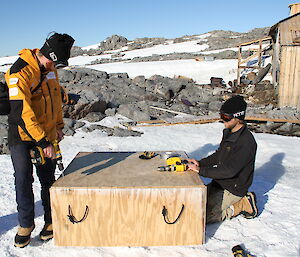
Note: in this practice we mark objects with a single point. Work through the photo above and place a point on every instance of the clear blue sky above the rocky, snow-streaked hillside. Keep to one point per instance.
(26, 24)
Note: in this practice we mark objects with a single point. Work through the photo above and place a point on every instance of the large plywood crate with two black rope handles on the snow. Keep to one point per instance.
(117, 199)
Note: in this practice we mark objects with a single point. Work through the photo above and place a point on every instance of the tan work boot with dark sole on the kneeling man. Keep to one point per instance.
(246, 206)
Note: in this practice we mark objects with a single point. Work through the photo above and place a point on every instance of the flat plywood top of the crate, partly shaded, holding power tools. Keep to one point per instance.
(123, 170)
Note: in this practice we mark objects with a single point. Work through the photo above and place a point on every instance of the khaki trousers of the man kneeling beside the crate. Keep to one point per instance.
(218, 204)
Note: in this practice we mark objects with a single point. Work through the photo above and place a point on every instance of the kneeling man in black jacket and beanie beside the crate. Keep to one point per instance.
(231, 167)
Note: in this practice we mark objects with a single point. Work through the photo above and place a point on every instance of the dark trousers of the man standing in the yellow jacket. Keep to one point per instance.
(23, 184)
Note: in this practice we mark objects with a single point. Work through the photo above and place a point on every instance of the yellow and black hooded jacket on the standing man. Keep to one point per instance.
(36, 110)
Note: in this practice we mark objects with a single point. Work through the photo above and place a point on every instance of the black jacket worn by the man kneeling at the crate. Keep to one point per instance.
(232, 165)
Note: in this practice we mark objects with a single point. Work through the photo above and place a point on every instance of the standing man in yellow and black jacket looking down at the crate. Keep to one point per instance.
(35, 119)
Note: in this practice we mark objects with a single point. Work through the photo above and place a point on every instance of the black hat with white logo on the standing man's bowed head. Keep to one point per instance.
(57, 48)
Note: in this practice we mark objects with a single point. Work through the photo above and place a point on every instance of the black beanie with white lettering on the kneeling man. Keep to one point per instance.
(235, 106)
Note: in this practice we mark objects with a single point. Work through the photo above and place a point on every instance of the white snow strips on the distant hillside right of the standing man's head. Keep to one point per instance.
(198, 71)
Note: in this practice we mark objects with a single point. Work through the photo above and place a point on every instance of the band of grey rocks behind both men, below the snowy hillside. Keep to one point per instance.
(93, 95)
